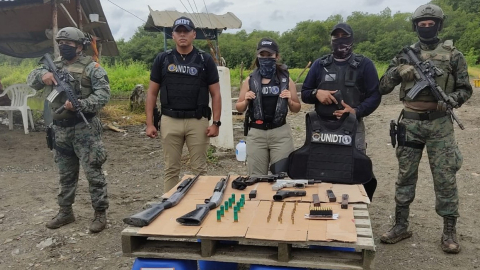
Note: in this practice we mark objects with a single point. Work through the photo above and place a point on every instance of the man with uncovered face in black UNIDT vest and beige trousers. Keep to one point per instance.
(185, 77)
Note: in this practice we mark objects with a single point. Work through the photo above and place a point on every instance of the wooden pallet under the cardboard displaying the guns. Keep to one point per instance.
(248, 251)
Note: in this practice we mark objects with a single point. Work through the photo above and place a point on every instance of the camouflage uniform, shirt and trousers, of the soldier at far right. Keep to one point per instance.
(437, 135)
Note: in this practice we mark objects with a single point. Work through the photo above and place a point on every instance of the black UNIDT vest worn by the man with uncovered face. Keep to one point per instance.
(184, 86)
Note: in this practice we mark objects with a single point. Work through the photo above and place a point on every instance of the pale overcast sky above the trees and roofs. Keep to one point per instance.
(276, 15)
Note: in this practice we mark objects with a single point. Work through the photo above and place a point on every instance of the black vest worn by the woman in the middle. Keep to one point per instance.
(277, 110)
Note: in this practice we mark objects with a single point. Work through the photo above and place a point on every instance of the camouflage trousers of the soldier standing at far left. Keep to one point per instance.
(81, 145)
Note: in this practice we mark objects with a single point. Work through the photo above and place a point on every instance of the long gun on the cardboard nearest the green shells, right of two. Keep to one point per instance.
(195, 217)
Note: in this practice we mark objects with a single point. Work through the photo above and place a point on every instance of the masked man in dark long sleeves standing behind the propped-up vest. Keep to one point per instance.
(343, 82)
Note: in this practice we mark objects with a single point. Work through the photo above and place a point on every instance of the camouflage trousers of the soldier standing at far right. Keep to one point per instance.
(444, 157)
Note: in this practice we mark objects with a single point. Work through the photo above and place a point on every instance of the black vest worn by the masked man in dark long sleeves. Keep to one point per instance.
(342, 78)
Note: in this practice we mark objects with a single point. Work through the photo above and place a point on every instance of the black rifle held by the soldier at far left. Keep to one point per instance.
(62, 79)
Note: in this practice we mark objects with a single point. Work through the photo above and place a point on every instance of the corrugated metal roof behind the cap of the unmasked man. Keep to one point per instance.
(201, 20)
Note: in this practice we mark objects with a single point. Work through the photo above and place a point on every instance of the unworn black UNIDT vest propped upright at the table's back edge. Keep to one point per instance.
(329, 153)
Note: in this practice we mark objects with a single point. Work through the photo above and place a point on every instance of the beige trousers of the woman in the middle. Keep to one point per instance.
(266, 147)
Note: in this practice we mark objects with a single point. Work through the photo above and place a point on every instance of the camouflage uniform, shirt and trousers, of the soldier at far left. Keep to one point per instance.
(78, 144)
